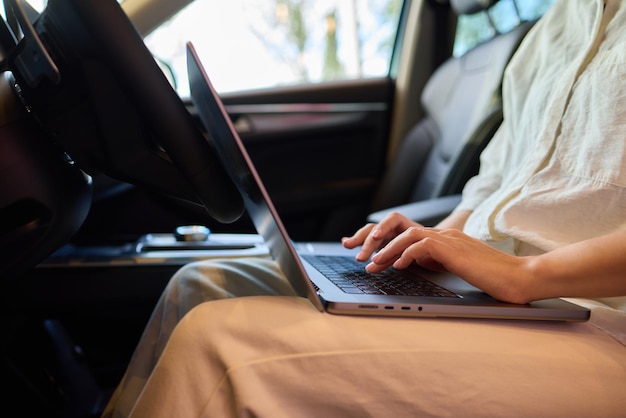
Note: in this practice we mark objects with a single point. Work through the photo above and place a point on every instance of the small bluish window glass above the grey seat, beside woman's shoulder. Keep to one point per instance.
(503, 16)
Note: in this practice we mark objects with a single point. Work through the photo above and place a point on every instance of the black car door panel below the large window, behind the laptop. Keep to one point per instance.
(319, 150)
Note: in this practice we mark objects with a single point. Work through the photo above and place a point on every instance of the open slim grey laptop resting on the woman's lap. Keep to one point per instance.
(412, 292)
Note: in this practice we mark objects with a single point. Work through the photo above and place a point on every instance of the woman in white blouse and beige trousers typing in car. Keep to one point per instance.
(547, 211)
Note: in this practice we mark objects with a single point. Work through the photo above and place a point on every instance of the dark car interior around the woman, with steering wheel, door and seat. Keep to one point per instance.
(105, 166)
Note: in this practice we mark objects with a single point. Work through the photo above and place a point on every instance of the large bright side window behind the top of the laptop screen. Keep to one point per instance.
(250, 44)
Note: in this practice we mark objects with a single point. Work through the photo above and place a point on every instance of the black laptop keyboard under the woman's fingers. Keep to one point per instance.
(351, 277)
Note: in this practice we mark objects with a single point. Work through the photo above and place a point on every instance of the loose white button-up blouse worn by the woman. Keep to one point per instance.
(555, 172)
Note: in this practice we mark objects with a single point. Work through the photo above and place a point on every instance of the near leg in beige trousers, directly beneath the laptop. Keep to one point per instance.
(278, 356)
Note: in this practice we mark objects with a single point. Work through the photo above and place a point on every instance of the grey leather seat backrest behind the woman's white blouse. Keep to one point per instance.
(462, 103)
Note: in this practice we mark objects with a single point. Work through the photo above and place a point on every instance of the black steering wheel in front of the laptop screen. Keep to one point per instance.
(84, 72)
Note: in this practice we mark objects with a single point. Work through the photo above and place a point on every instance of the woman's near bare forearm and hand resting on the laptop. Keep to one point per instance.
(590, 268)
